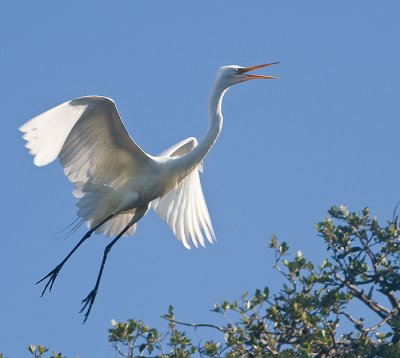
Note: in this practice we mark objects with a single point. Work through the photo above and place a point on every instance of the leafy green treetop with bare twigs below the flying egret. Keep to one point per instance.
(311, 314)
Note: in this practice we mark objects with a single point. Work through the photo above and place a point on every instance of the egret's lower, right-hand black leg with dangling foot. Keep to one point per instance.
(89, 300)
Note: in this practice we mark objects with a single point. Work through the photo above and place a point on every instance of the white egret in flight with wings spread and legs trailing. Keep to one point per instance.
(116, 182)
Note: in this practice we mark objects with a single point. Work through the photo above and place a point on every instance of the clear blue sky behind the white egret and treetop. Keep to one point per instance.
(325, 133)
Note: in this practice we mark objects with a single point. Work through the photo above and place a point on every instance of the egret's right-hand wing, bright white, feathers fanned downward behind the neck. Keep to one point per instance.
(184, 208)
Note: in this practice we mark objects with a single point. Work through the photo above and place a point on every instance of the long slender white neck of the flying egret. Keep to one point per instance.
(189, 161)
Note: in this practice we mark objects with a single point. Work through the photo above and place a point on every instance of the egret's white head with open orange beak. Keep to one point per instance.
(233, 74)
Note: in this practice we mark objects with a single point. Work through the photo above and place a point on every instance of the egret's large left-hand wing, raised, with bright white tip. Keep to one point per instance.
(96, 151)
